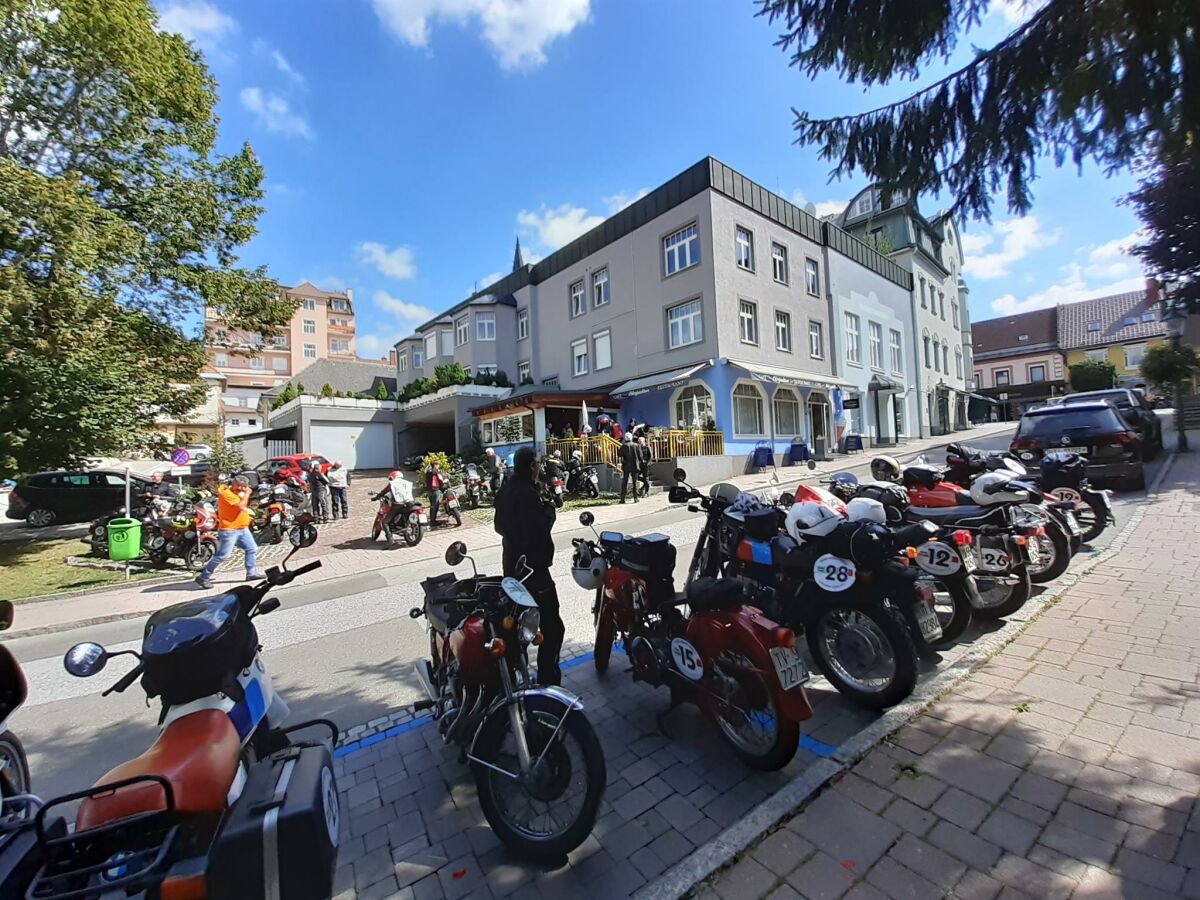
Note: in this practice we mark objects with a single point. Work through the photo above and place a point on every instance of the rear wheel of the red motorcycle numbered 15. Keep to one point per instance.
(743, 707)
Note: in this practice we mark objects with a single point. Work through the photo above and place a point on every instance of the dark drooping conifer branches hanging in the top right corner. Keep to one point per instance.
(1101, 81)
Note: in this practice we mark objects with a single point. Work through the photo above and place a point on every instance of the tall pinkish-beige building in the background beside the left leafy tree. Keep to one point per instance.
(323, 328)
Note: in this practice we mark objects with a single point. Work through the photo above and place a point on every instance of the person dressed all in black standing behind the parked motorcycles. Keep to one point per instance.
(524, 519)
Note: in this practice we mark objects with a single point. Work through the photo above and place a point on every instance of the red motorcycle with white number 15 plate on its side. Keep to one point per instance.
(727, 657)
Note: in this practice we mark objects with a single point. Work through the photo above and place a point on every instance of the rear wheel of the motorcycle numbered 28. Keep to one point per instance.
(865, 650)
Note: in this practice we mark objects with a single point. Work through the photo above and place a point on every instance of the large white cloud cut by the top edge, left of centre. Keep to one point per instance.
(518, 31)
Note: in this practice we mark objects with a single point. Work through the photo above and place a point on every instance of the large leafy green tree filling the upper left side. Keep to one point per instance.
(119, 223)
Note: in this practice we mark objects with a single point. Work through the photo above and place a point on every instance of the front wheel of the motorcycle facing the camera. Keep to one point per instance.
(573, 773)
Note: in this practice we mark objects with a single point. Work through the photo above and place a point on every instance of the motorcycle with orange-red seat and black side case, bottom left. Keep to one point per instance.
(226, 803)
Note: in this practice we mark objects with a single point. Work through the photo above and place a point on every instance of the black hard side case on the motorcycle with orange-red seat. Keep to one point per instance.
(280, 839)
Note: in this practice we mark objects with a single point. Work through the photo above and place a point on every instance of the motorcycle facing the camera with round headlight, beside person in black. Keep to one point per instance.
(530, 747)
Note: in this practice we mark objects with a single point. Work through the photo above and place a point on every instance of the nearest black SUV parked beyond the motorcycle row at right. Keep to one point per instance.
(1095, 431)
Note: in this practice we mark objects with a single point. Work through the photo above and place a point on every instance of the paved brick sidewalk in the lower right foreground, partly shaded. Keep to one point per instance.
(1067, 766)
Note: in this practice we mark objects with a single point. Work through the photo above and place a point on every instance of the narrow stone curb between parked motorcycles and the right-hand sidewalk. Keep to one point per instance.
(790, 800)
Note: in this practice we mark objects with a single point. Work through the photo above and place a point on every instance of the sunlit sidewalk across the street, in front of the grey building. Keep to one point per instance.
(345, 553)
